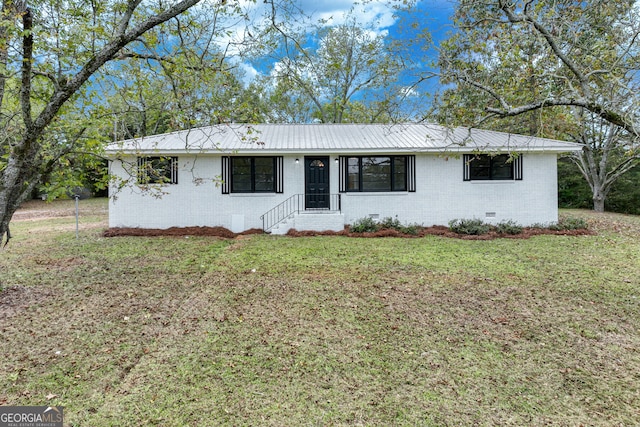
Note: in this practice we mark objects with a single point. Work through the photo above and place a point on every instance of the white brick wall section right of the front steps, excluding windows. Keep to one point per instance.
(442, 195)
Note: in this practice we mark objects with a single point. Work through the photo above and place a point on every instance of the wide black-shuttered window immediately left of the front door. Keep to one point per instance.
(252, 174)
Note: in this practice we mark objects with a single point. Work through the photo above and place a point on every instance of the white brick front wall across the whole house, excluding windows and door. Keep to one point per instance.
(441, 195)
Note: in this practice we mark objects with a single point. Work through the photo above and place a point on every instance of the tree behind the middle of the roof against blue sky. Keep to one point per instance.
(345, 65)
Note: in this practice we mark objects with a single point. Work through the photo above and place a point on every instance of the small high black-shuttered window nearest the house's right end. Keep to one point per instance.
(485, 167)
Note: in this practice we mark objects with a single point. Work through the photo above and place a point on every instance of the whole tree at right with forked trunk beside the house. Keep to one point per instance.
(550, 68)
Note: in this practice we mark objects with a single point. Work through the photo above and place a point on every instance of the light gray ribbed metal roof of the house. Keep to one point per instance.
(336, 138)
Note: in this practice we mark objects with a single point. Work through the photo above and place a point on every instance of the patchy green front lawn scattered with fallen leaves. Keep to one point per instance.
(273, 331)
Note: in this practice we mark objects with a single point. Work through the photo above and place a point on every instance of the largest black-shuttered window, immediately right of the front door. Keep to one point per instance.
(377, 173)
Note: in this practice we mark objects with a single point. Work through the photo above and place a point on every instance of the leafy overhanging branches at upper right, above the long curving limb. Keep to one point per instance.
(527, 56)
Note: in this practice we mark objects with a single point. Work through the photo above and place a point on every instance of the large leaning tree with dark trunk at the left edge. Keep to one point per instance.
(51, 53)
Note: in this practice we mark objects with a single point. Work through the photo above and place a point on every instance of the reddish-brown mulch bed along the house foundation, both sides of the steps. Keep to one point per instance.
(426, 231)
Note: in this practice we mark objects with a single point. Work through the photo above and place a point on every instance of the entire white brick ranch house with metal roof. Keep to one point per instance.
(321, 177)
